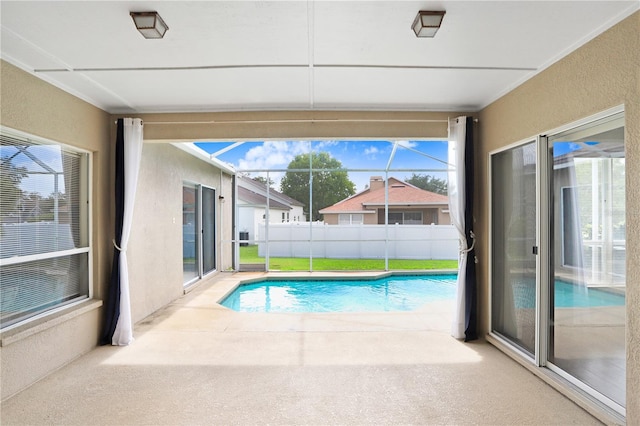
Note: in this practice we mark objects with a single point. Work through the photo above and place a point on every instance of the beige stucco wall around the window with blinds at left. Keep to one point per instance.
(30, 105)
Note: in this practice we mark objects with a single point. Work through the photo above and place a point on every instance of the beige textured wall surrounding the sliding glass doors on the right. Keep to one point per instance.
(602, 74)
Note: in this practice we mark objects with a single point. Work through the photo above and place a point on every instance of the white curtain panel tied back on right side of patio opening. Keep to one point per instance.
(456, 192)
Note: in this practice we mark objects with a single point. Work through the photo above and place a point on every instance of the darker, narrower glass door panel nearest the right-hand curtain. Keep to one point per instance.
(513, 265)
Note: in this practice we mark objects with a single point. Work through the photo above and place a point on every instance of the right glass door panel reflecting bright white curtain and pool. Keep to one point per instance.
(587, 289)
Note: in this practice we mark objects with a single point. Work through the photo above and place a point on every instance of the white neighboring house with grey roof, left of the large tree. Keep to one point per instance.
(252, 203)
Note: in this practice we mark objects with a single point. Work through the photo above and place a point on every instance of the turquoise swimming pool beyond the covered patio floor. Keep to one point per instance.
(392, 293)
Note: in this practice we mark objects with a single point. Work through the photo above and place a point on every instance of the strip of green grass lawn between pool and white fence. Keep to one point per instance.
(249, 254)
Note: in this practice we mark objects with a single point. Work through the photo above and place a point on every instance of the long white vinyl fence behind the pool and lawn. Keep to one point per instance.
(360, 241)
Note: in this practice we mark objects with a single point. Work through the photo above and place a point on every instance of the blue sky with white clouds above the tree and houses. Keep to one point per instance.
(370, 156)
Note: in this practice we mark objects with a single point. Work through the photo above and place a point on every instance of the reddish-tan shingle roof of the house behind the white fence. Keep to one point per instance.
(400, 194)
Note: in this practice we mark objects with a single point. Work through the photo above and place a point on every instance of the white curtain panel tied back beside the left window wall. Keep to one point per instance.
(123, 334)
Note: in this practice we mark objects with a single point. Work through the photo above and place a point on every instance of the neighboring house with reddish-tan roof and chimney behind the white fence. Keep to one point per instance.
(408, 205)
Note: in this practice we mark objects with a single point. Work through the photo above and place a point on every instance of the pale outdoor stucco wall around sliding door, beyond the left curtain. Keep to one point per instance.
(155, 246)
